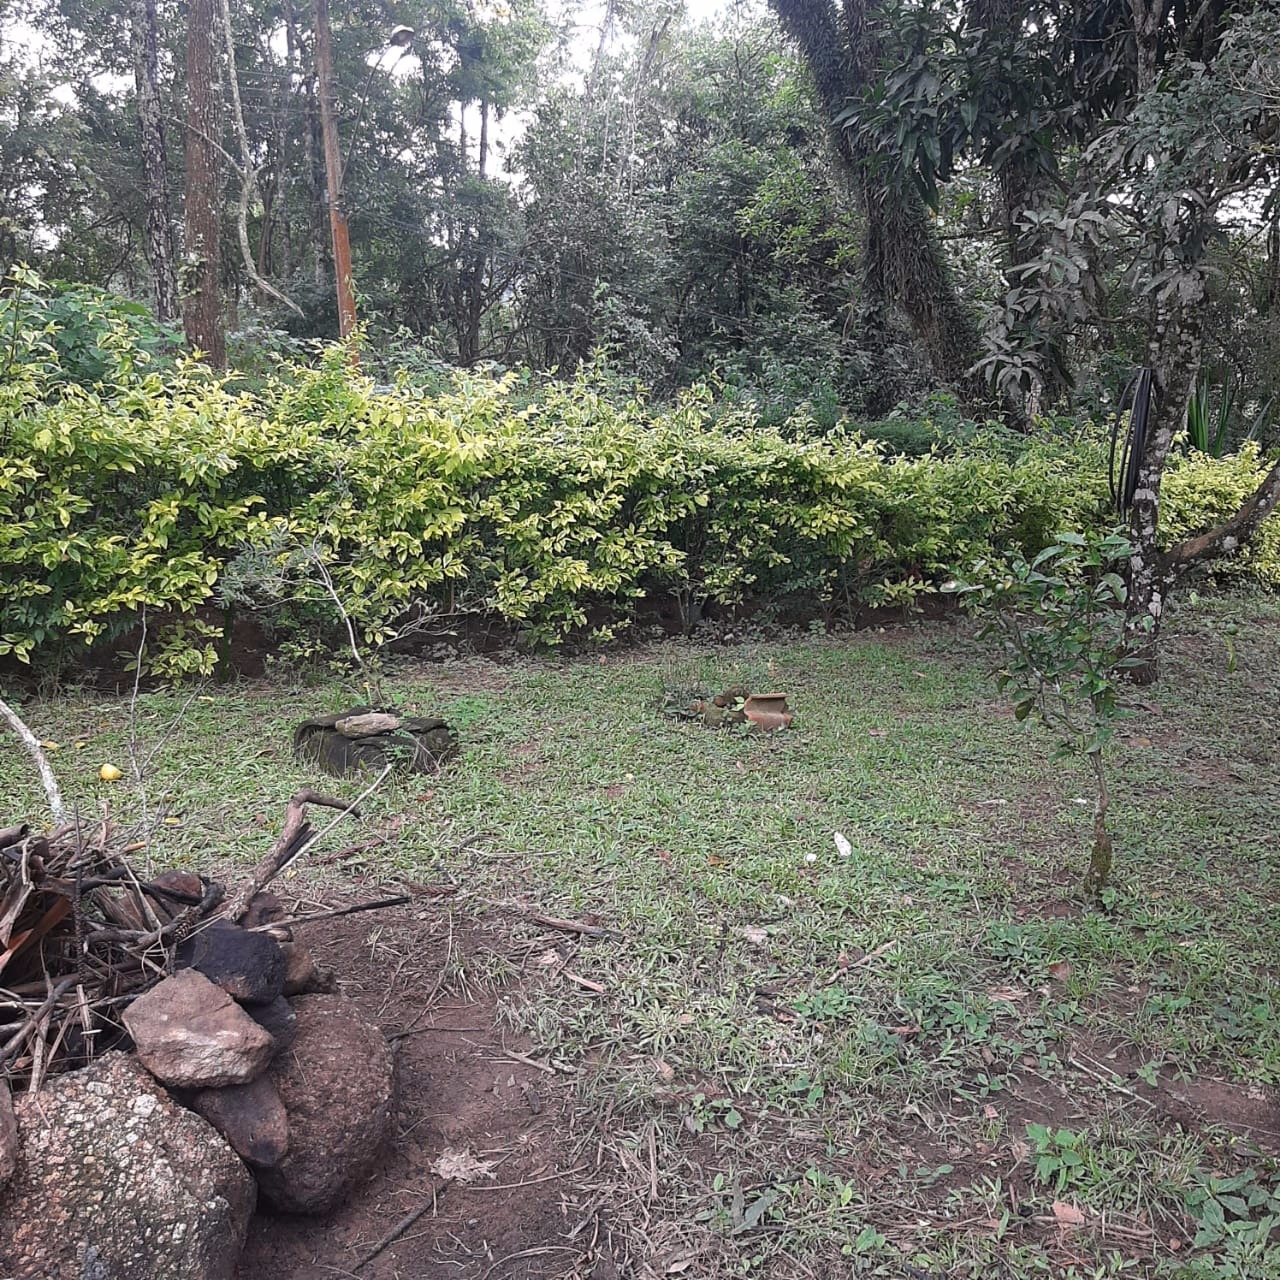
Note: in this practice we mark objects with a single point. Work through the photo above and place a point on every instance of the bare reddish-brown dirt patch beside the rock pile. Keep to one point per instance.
(468, 1091)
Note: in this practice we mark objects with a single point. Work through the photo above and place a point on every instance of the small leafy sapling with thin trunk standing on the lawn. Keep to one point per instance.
(1060, 621)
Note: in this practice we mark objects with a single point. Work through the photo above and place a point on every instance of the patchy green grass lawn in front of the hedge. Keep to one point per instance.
(926, 1059)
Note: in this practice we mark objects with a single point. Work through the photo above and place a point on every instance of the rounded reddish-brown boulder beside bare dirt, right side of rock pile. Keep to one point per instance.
(339, 1089)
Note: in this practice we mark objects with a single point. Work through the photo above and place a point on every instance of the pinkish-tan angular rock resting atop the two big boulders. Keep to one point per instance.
(191, 1035)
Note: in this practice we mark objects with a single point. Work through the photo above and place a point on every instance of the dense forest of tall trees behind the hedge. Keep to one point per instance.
(1005, 199)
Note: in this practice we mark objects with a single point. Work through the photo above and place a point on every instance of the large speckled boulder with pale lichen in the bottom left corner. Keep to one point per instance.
(118, 1182)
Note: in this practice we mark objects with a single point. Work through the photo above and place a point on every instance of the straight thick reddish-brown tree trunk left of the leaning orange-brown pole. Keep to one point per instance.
(203, 317)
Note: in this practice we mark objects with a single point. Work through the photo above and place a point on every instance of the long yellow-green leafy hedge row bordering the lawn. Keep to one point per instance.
(176, 491)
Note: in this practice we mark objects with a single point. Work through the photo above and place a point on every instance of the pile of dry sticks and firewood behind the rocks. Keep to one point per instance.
(83, 935)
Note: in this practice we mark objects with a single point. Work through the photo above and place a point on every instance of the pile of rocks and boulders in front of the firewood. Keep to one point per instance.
(249, 1080)
